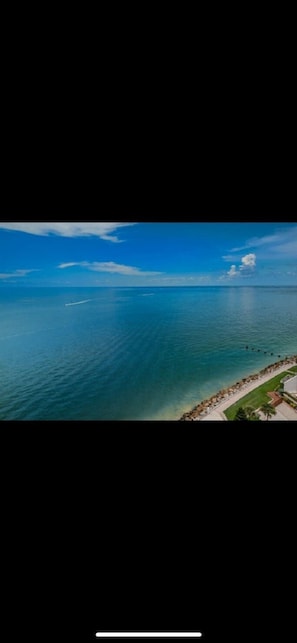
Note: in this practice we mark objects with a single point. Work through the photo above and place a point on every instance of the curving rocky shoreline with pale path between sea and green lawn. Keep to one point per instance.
(217, 403)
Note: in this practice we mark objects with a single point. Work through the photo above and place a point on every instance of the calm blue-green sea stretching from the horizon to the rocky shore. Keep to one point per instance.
(134, 353)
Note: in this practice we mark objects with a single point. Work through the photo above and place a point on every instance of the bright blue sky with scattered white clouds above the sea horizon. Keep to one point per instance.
(147, 254)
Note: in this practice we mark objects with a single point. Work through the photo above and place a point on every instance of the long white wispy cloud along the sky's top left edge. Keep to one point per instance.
(65, 229)
